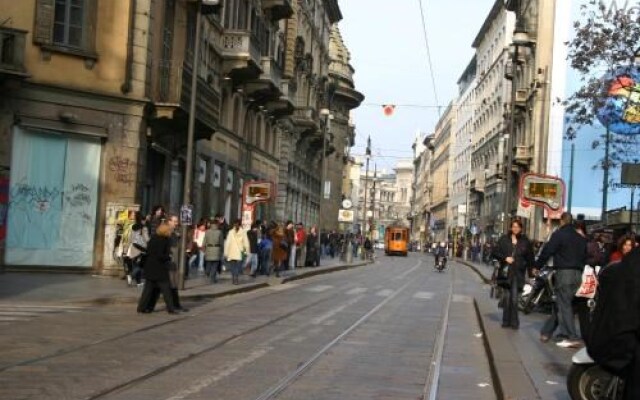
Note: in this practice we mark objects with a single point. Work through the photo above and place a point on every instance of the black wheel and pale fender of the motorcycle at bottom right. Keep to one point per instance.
(588, 381)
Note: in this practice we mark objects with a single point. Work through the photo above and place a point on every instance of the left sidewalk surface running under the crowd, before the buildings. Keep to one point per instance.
(35, 287)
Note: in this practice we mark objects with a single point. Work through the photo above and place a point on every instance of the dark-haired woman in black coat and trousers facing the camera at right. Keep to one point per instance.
(515, 250)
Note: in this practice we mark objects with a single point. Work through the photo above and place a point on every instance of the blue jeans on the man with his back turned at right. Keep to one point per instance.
(567, 283)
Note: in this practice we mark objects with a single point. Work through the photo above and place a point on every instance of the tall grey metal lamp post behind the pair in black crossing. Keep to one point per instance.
(186, 198)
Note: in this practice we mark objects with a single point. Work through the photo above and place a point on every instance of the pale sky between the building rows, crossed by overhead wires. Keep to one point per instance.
(389, 55)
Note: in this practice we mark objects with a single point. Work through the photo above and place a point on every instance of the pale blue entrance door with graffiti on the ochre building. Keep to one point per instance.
(53, 198)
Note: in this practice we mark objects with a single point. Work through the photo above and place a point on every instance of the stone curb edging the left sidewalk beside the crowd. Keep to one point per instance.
(104, 301)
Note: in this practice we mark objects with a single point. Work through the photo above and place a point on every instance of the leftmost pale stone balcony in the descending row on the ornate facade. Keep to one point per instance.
(241, 55)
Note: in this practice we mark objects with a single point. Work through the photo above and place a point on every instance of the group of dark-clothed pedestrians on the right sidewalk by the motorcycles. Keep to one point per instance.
(608, 320)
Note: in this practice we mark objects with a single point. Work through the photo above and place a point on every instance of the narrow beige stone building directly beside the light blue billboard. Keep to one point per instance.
(532, 74)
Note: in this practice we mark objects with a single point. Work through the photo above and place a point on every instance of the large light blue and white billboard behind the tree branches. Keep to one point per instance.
(587, 177)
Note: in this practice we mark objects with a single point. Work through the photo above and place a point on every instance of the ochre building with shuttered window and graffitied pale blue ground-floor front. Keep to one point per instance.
(73, 112)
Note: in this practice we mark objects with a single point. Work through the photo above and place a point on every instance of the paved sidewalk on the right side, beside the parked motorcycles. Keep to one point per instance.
(525, 367)
